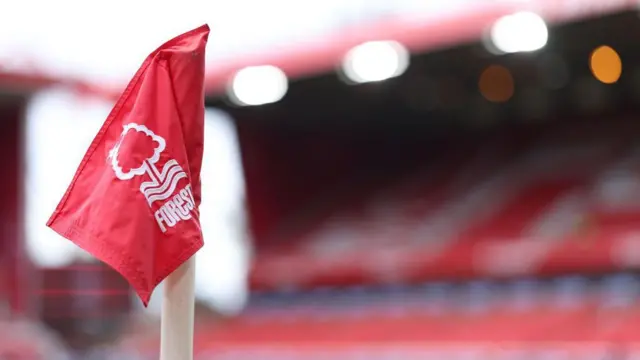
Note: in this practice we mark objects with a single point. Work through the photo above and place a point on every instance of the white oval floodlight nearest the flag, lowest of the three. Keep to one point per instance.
(258, 85)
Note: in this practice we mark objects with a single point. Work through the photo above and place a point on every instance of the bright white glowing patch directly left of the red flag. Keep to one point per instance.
(59, 129)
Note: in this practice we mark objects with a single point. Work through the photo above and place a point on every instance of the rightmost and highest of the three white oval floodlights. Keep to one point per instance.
(519, 32)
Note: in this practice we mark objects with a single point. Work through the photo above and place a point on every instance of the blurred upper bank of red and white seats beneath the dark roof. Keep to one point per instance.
(525, 207)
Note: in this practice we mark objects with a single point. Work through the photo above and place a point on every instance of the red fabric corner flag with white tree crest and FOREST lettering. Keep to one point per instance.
(133, 202)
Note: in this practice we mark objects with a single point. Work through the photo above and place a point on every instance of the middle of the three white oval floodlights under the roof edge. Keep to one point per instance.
(375, 61)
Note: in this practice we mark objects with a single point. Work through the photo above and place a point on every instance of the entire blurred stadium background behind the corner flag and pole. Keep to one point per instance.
(404, 179)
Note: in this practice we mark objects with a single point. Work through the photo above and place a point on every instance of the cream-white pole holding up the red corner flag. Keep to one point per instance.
(178, 302)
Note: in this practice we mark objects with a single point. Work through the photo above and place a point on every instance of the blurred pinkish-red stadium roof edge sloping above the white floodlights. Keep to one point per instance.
(323, 52)
